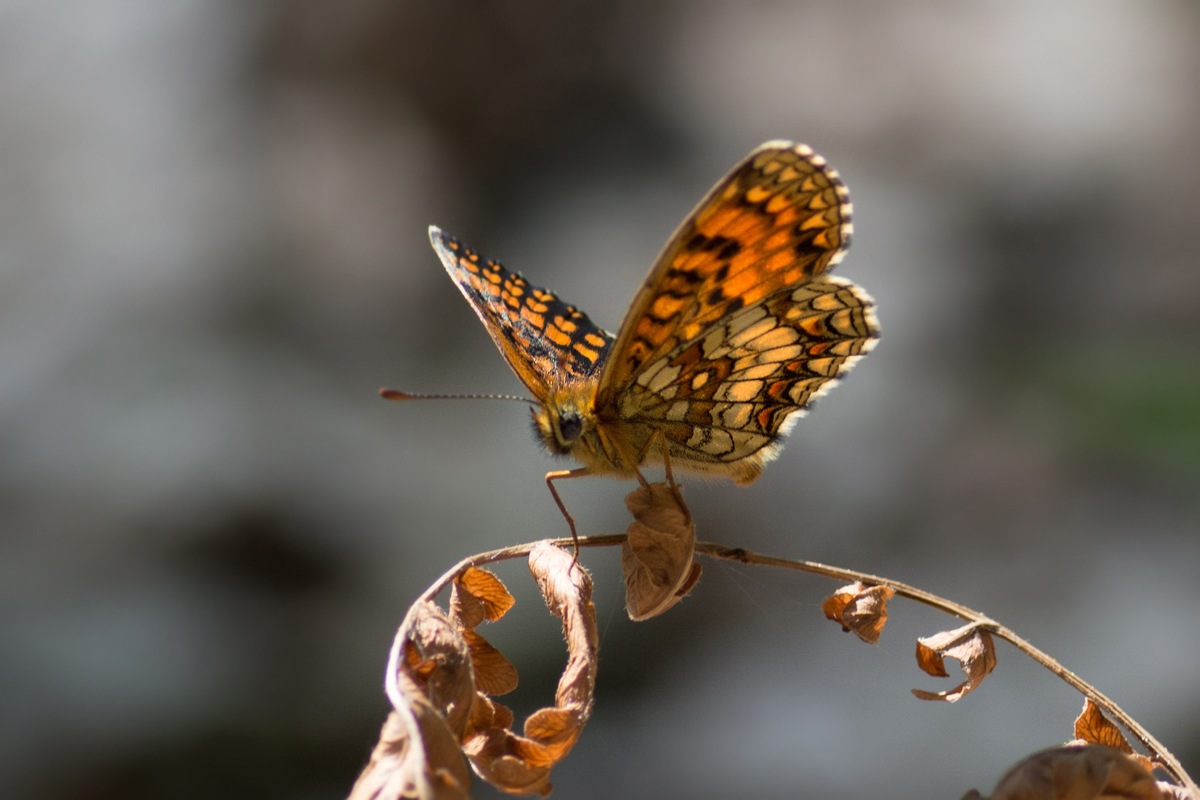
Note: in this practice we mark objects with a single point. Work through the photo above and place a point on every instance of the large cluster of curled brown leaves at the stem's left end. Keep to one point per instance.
(443, 681)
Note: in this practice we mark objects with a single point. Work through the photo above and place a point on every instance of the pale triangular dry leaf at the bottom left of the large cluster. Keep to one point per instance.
(418, 756)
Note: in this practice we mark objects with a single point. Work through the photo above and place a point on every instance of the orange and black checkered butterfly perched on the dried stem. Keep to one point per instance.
(736, 330)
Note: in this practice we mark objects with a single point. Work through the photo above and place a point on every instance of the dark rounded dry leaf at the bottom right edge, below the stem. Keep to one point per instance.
(1077, 773)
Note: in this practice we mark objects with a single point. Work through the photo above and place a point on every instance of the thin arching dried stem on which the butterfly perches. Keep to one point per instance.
(1154, 748)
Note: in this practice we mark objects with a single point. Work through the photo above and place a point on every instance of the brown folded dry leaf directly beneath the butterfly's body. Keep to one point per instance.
(657, 557)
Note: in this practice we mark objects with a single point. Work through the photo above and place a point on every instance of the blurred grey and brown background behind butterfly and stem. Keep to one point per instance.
(213, 252)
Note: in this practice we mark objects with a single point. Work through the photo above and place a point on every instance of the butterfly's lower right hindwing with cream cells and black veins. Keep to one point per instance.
(724, 399)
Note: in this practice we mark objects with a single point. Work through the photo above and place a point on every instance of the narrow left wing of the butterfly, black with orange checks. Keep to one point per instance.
(547, 341)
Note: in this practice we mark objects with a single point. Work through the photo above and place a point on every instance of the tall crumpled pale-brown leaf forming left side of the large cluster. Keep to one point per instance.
(433, 691)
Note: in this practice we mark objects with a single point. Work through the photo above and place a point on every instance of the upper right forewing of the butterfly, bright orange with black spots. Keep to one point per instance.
(779, 219)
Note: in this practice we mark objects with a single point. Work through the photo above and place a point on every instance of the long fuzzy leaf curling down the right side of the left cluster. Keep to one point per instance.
(520, 765)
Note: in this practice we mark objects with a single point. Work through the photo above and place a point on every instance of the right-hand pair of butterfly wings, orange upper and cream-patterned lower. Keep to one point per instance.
(737, 328)
